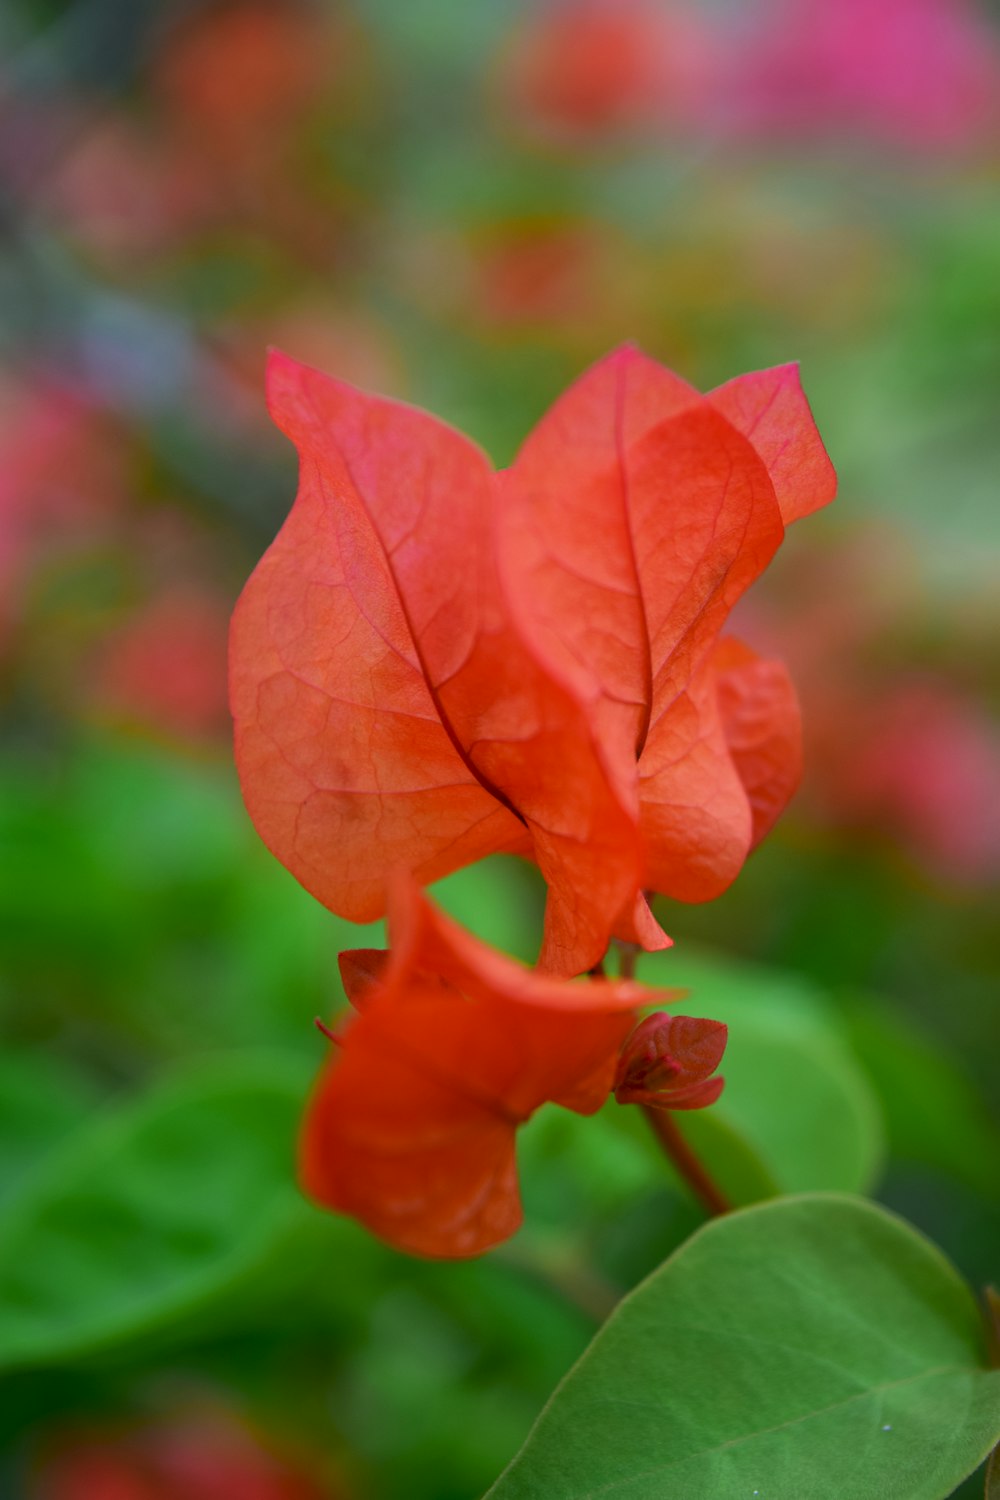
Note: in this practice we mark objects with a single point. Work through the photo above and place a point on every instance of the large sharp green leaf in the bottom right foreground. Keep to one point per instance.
(815, 1346)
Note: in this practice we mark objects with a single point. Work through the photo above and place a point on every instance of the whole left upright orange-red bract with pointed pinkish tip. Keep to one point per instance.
(388, 703)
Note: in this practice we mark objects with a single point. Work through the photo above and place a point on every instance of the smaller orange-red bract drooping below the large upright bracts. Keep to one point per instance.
(412, 1127)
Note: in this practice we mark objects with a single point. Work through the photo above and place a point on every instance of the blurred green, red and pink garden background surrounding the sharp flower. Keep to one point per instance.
(463, 206)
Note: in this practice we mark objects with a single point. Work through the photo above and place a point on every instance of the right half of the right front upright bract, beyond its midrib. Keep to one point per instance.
(723, 529)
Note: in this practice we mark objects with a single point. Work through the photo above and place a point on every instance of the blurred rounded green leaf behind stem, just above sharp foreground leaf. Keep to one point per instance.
(797, 1114)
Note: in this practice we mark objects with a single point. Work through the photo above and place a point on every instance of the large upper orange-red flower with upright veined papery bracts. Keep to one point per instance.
(436, 662)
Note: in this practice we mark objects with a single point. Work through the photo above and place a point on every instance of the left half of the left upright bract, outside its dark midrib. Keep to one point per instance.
(346, 764)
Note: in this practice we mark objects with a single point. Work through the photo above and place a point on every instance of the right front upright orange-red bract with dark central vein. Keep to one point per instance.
(633, 520)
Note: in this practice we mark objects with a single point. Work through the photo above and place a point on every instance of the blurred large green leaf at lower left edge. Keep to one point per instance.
(152, 1213)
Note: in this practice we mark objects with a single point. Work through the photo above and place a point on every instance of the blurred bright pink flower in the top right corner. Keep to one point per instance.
(923, 73)
